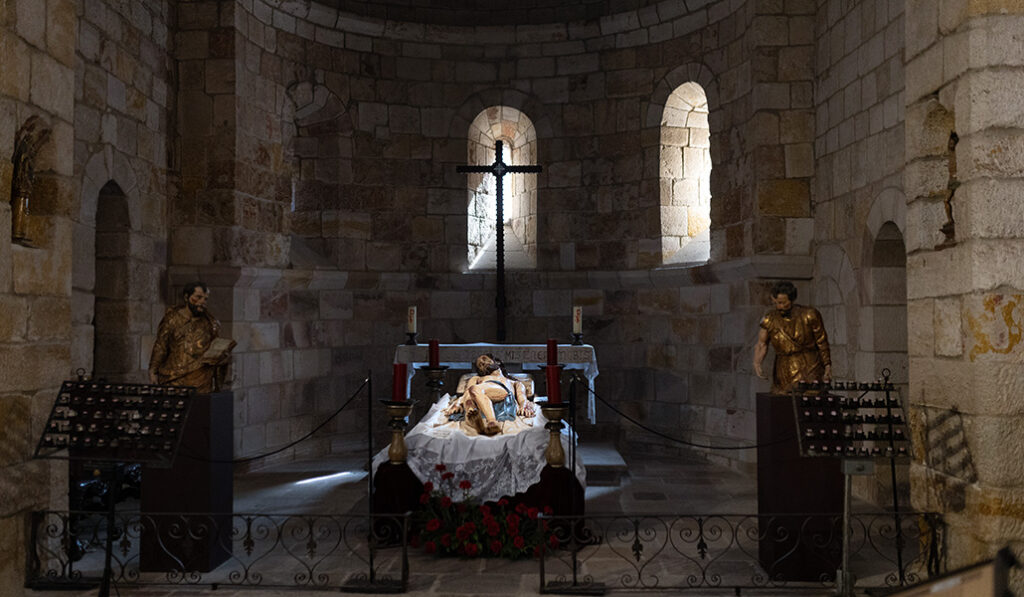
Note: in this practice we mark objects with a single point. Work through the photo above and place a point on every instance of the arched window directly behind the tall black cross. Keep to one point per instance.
(519, 138)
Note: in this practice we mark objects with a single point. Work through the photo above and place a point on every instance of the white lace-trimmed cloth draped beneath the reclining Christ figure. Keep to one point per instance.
(497, 466)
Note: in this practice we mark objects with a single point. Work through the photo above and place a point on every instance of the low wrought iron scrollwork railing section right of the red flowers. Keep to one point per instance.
(737, 551)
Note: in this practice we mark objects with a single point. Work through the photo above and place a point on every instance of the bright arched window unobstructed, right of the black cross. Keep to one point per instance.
(686, 177)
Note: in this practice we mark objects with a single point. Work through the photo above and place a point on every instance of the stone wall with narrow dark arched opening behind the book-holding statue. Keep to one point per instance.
(124, 103)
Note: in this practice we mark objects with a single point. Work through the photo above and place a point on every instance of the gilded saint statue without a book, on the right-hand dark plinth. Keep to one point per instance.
(799, 338)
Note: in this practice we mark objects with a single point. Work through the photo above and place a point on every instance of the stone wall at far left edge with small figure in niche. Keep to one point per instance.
(37, 50)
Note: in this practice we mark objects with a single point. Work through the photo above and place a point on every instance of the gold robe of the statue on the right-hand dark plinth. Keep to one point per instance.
(801, 347)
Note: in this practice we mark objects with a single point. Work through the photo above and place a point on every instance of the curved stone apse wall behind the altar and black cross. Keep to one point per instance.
(379, 222)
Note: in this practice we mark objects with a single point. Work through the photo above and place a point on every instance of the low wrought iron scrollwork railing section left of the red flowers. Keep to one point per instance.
(328, 552)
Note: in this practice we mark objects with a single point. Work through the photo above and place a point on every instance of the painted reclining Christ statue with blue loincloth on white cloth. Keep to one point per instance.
(493, 402)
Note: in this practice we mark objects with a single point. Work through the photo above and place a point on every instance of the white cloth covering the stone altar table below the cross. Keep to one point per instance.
(532, 357)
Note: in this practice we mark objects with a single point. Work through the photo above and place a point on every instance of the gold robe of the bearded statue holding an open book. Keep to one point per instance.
(178, 354)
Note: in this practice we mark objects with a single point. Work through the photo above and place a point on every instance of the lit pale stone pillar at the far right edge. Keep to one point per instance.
(965, 291)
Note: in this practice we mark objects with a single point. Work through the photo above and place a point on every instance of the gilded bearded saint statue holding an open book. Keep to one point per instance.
(188, 352)
